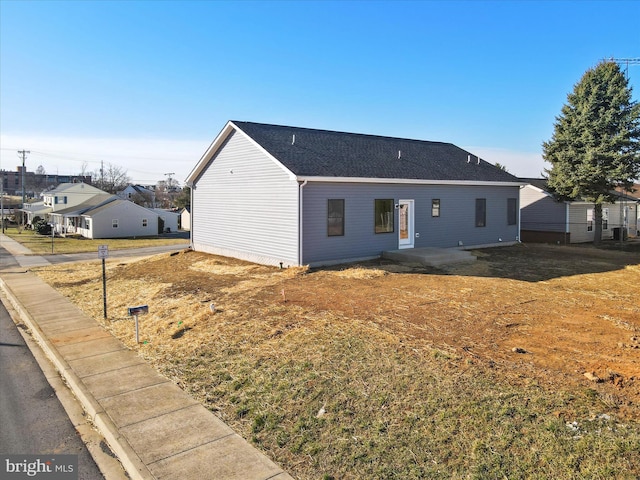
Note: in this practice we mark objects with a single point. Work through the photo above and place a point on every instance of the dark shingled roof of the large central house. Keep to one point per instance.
(323, 153)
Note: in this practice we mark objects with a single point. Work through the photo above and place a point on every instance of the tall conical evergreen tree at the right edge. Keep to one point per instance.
(595, 146)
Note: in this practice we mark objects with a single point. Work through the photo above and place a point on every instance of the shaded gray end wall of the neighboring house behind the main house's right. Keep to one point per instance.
(540, 212)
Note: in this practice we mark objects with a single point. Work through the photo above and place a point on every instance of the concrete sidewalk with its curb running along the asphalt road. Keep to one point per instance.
(156, 430)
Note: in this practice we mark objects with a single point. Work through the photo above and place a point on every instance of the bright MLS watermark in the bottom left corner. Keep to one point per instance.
(49, 467)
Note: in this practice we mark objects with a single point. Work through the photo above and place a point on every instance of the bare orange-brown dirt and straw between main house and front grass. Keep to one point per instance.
(566, 316)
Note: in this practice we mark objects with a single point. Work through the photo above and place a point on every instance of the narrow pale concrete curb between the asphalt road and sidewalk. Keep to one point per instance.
(130, 460)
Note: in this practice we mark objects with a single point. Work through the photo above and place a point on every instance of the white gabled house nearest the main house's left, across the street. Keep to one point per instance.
(118, 219)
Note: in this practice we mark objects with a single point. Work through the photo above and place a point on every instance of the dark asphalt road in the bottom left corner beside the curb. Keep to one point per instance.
(32, 419)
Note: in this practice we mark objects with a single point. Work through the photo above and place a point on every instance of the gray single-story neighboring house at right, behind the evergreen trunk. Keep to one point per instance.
(544, 218)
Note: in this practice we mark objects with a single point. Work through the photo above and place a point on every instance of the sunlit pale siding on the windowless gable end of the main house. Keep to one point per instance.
(246, 205)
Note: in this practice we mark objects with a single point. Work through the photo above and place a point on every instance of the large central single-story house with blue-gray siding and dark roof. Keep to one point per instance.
(290, 196)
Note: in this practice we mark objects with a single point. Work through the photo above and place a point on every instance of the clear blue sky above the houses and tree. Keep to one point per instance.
(147, 85)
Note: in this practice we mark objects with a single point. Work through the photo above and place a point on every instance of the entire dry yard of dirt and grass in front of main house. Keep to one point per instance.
(370, 370)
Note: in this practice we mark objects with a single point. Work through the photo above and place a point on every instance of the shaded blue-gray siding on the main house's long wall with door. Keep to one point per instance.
(455, 225)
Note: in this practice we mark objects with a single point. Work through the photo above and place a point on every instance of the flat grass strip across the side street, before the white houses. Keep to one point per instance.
(42, 245)
